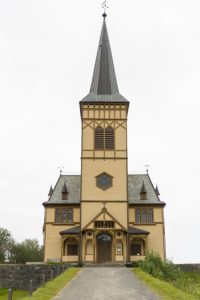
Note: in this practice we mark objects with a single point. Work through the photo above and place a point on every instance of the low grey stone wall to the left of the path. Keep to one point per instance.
(19, 276)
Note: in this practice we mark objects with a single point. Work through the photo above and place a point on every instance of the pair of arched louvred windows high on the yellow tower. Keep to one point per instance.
(104, 138)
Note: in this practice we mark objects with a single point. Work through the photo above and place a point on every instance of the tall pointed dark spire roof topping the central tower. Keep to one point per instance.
(104, 87)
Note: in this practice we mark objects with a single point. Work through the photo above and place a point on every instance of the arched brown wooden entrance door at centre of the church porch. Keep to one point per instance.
(104, 248)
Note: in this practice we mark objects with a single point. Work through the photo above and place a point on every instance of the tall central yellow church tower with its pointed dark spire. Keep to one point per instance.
(104, 178)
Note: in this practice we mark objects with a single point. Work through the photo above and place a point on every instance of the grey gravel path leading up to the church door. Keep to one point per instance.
(106, 284)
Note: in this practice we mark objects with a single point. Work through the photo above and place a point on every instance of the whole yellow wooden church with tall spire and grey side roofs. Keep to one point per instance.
(103, 215)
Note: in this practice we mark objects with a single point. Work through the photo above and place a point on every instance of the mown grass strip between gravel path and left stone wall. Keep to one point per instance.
(52, 288)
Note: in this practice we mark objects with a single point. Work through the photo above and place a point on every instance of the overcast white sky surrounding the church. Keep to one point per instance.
(47, 55)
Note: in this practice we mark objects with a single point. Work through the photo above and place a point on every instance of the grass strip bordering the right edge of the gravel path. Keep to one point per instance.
(166, 290)
